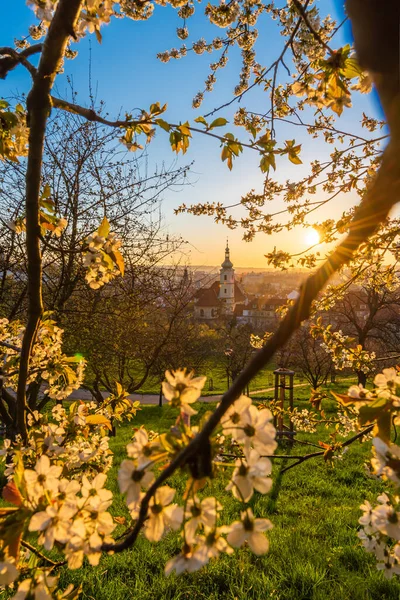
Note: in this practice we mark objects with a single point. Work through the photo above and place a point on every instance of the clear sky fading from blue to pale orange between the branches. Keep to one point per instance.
(127, 75)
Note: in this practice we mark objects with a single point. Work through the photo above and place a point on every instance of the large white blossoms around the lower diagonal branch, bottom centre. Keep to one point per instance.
(250, 429)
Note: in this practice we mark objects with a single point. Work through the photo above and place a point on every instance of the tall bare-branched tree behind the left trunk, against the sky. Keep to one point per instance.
(90, 176)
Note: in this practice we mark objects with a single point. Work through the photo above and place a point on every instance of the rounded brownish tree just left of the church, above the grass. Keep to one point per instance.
(125, 329)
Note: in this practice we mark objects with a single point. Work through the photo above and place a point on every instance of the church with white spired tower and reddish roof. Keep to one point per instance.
(222, 297)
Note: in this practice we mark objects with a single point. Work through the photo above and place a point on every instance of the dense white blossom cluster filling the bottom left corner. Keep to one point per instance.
(57, 482)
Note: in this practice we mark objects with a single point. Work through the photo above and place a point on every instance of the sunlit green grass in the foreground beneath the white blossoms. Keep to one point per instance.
(314, 552)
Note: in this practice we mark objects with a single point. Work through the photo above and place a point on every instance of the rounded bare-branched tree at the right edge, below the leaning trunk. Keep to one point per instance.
(364, 319)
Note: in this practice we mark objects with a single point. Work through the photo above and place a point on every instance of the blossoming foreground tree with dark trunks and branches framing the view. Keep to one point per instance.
(57, 462)
